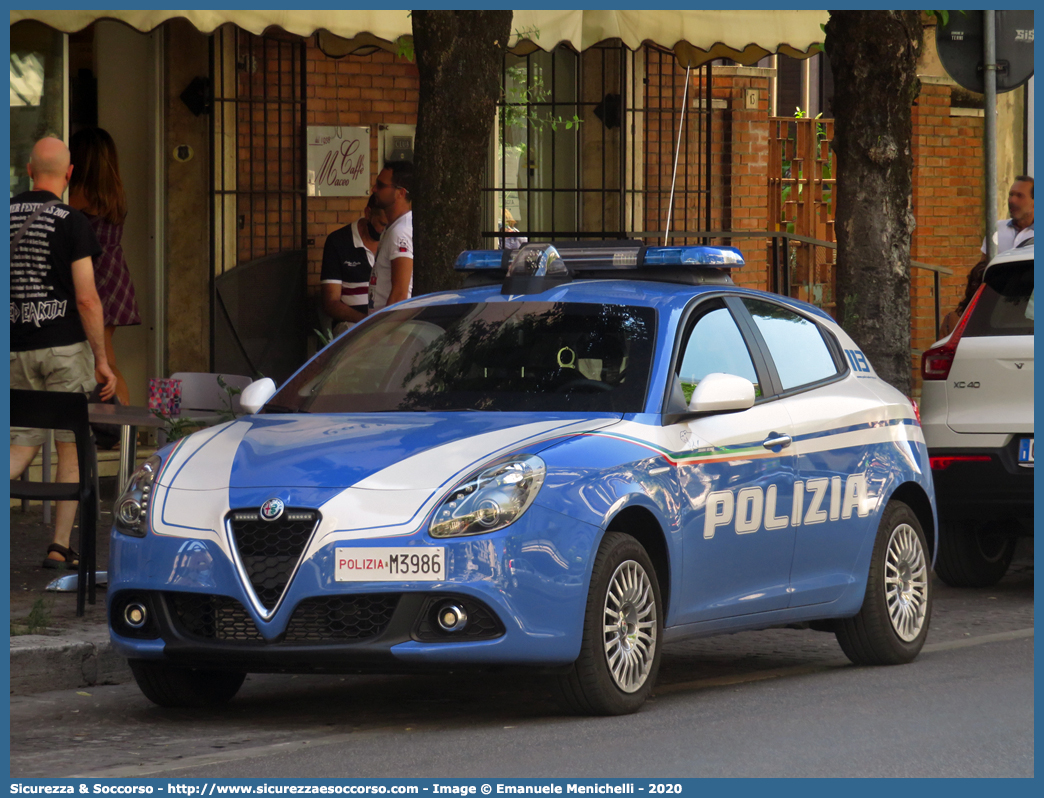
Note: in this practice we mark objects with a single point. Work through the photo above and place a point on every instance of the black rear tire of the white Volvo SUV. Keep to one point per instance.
(974, 555)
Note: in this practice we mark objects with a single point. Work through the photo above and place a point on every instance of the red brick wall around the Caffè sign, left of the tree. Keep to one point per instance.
(355, 91)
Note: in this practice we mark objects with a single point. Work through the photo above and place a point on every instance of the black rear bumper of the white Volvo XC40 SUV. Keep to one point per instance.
(993, 490)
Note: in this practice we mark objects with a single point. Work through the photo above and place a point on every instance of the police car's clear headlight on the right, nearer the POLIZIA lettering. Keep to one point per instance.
(491, 501)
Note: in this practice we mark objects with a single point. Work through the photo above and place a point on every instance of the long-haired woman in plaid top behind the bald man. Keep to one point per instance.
(98, 191)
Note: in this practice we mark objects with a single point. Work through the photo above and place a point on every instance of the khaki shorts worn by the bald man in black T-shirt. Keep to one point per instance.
(67, 369)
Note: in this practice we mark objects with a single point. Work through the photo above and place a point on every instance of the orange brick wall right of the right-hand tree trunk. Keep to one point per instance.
(948, 190)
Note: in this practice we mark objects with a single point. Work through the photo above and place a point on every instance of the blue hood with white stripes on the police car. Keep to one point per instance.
(374, 452)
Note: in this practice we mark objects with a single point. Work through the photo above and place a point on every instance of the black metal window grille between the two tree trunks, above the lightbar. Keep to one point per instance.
(584, 147)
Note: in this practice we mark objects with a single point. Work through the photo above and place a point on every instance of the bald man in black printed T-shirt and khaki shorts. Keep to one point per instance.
(57, 325)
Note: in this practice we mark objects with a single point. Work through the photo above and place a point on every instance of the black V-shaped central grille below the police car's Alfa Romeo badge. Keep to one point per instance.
(271, 551)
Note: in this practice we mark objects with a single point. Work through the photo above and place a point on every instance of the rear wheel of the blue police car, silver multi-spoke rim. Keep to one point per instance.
(893, 624)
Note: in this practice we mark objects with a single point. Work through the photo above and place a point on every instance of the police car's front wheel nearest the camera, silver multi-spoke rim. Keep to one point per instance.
(623, 633)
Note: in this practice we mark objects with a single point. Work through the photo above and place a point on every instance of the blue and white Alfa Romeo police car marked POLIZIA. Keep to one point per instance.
(591, 452)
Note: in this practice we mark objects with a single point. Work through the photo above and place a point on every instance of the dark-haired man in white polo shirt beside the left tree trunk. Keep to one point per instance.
(393, 276)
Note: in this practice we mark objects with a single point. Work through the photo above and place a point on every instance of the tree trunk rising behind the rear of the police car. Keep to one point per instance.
(874, 58)
